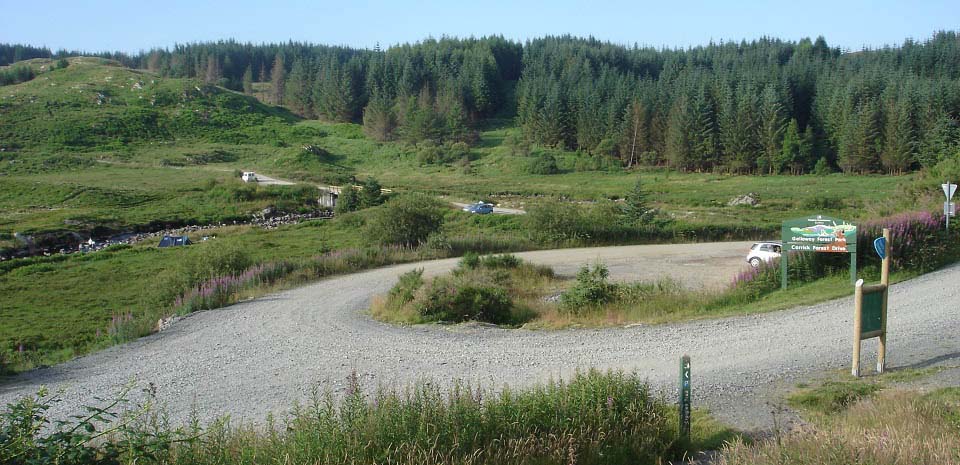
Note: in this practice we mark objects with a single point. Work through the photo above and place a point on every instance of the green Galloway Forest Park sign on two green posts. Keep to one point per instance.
(821, 234)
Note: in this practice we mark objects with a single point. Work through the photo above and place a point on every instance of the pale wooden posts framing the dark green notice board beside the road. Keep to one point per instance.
(870, 314)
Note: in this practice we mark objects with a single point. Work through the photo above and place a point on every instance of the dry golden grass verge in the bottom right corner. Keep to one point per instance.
(856, 421)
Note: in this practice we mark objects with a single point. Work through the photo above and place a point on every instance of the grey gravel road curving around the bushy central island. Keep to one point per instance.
(263, 355)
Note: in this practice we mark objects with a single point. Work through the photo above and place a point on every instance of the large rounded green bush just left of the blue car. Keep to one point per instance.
(406, 221)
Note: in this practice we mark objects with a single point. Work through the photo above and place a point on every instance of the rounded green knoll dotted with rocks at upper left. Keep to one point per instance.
(97, 104)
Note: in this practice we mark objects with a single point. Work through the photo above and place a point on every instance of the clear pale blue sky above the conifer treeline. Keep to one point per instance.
(131, 26)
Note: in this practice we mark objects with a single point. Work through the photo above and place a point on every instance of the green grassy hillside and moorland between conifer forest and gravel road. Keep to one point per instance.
(95, 148)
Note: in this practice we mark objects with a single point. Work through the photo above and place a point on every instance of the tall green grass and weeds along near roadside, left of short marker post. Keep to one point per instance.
(594, 418)
